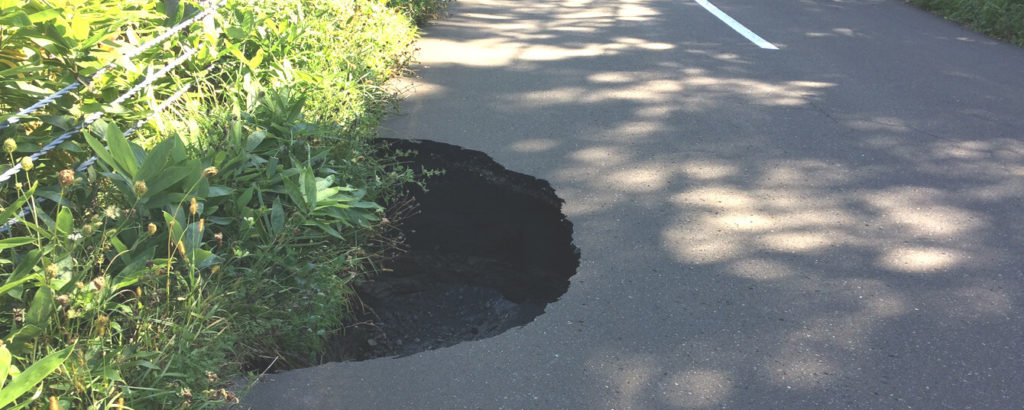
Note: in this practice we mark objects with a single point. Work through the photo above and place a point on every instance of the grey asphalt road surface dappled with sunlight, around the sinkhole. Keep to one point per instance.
(835, 224)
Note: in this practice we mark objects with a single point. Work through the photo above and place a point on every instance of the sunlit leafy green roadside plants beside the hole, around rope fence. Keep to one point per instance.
(221, 237)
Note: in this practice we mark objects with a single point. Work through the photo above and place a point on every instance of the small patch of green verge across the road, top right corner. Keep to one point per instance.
(1001, 19)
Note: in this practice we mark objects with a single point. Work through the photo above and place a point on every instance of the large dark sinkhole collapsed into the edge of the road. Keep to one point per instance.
(487, 252)
